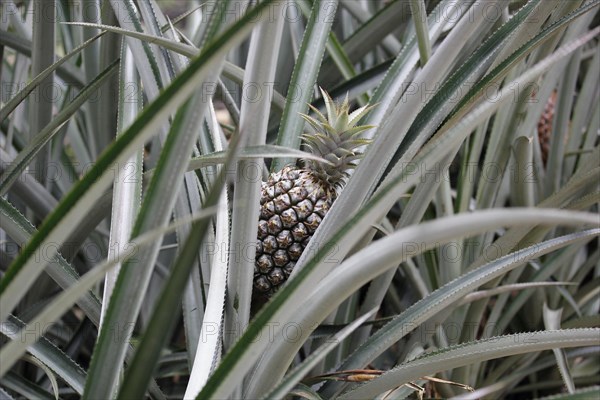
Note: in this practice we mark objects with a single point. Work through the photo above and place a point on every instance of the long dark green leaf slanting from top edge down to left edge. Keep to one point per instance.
(61, 222)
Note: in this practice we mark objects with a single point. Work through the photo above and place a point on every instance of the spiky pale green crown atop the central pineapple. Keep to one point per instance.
(336, 140)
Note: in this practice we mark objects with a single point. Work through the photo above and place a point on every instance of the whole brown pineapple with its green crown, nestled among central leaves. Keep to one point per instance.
(295, 200)
